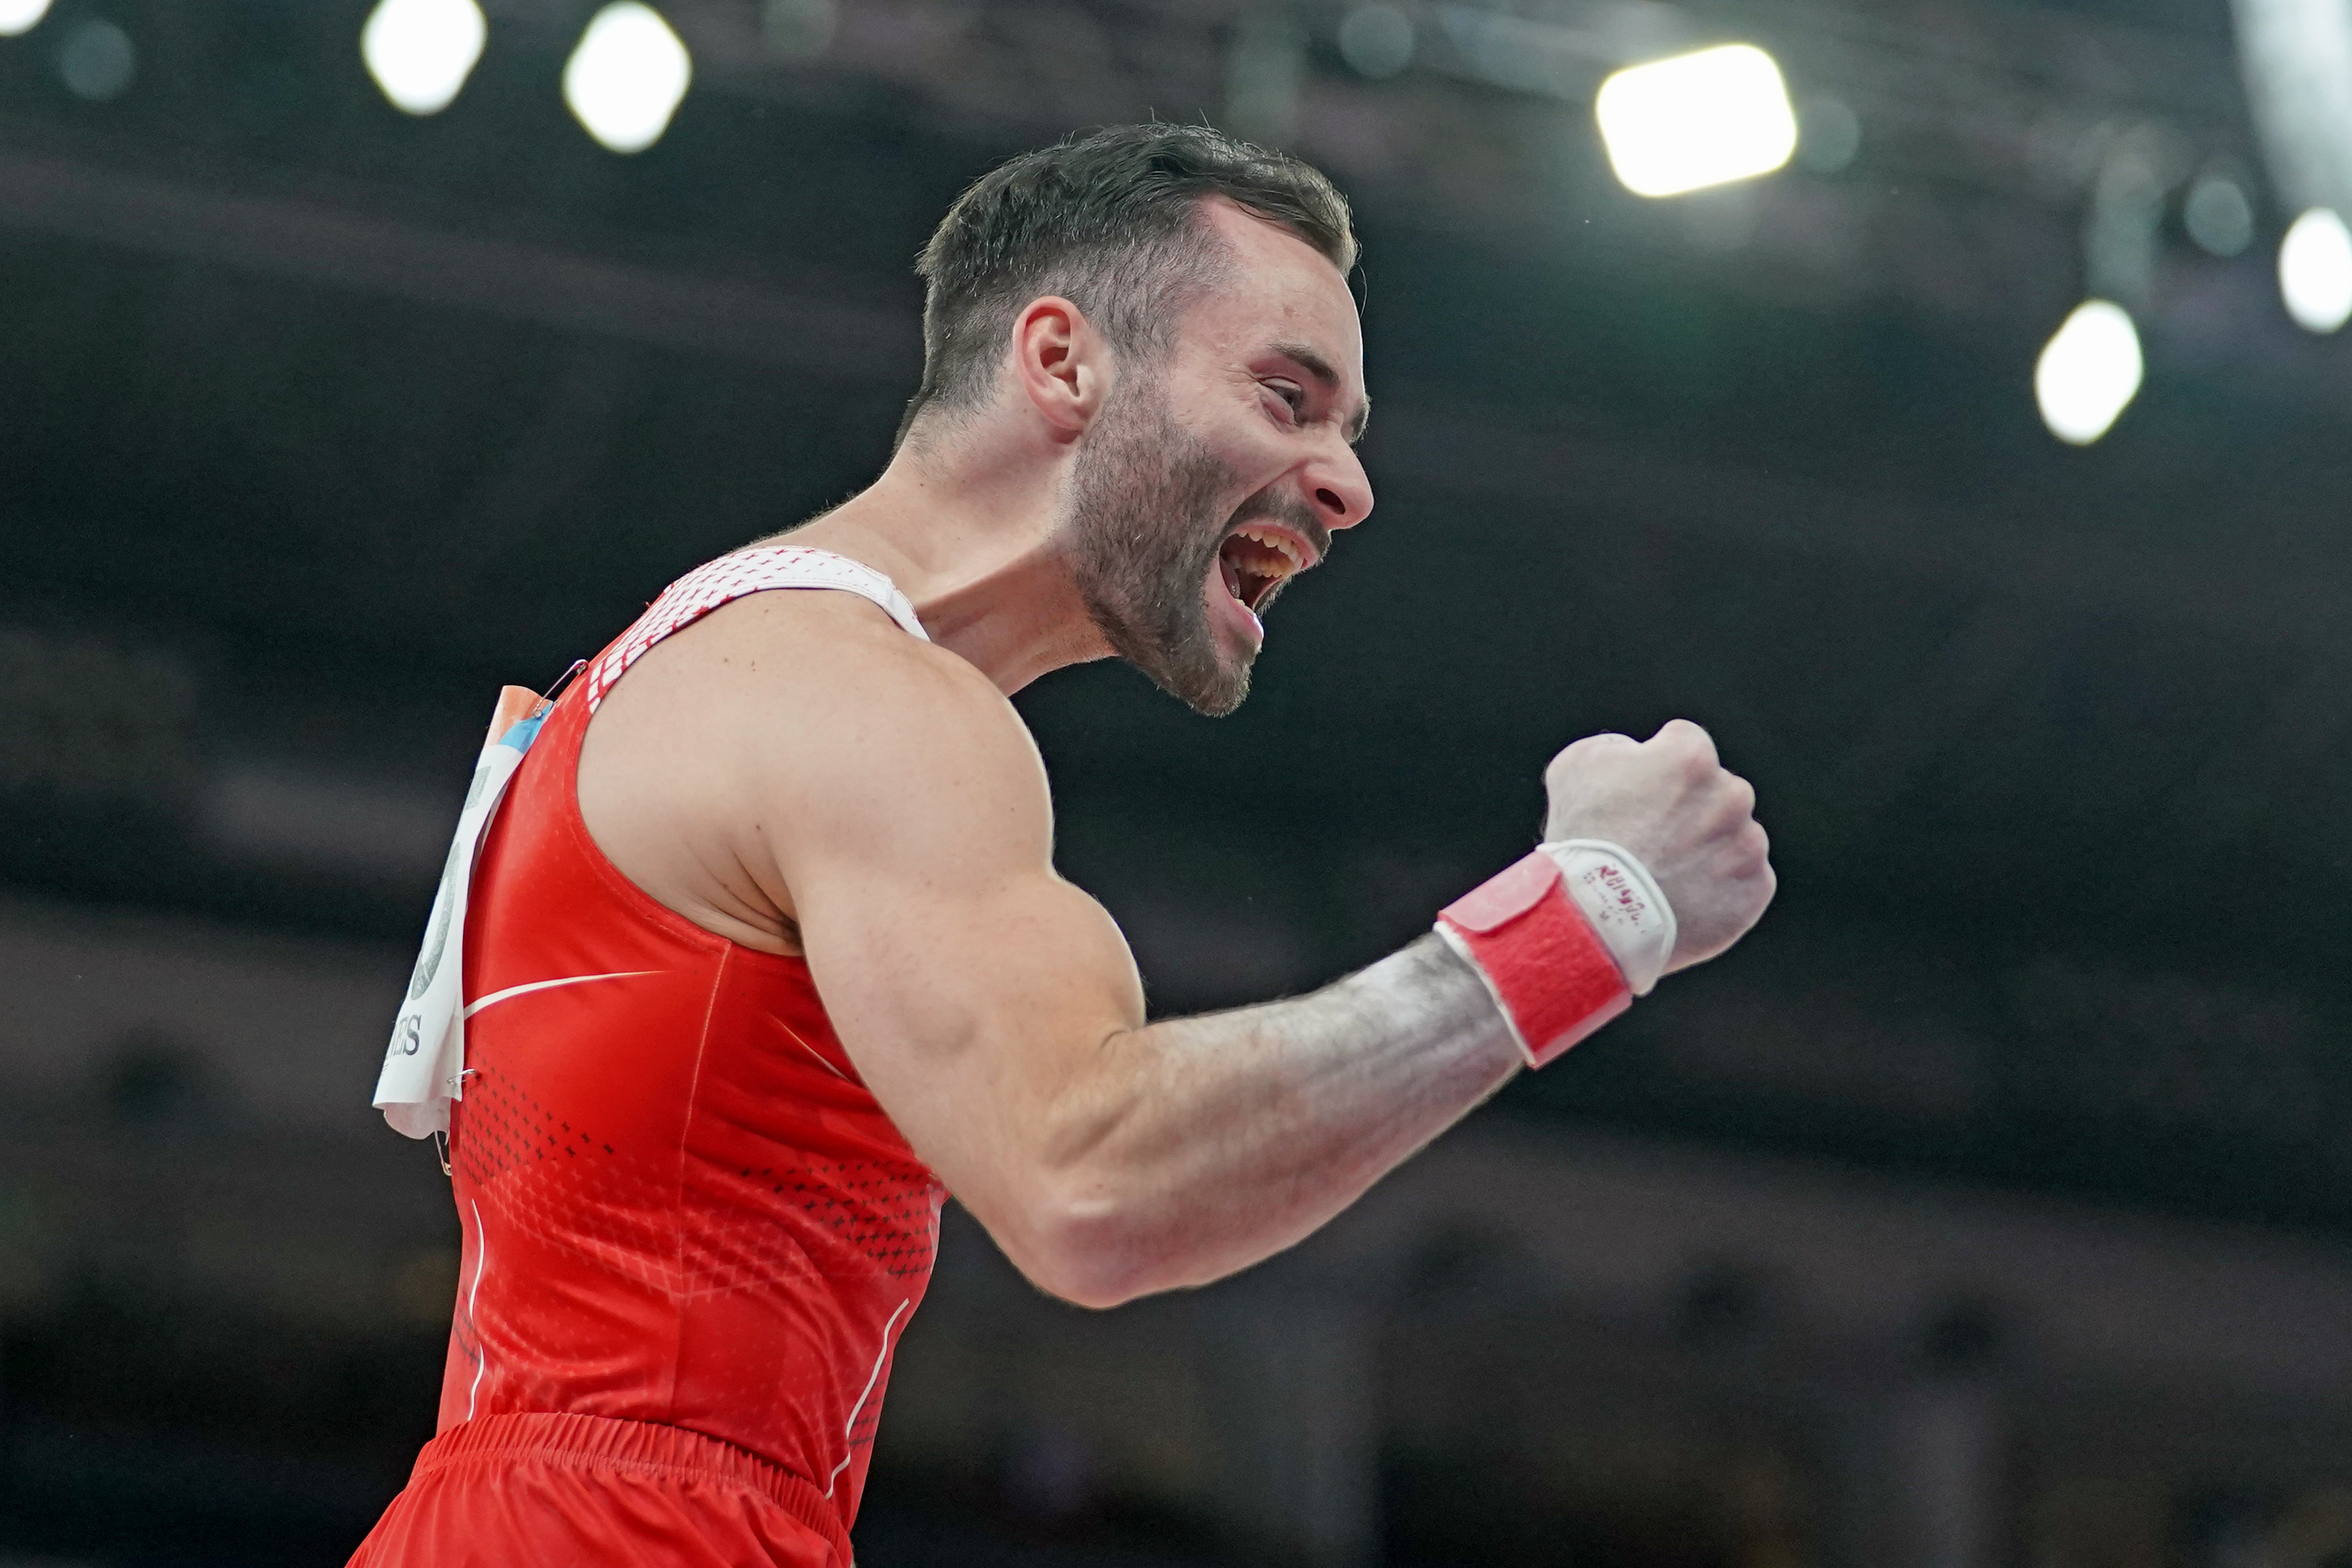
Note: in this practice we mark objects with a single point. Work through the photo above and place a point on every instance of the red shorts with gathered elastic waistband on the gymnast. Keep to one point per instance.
(516, 1492)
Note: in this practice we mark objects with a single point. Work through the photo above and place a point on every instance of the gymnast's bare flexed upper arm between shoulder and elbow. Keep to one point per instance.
(968, 981)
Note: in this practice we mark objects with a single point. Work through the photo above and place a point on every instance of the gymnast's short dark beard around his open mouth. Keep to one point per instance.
(1144, 523)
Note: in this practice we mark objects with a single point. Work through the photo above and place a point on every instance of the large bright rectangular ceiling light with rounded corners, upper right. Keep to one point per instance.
(1697, 121)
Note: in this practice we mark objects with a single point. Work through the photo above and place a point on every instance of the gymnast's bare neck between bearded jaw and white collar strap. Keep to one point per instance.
(973, 547)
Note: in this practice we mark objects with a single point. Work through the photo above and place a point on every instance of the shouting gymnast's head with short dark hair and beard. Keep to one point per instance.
(1161, 319)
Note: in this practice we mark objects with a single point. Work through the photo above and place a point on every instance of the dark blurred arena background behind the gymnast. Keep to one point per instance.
(1986, 1209)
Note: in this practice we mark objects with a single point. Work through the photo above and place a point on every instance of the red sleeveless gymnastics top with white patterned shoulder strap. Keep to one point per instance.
(681, 1202)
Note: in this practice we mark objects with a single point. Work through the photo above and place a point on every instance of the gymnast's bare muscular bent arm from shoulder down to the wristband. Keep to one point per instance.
(998, 1017)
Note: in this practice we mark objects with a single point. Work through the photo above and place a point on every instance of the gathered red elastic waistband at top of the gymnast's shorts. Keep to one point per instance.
(603, 1442)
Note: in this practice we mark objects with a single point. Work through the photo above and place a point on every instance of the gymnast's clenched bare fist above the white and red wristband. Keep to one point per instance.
(1671, 803)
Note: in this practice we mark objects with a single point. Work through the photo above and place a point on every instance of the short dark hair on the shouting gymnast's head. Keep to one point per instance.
(1111, 222)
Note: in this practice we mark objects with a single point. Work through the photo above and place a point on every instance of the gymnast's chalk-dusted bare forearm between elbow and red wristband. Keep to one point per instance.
(1201, 1146)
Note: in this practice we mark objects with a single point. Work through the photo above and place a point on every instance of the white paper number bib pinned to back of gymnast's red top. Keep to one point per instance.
(427, 1061)
